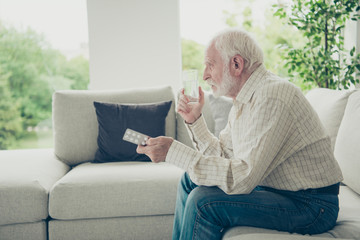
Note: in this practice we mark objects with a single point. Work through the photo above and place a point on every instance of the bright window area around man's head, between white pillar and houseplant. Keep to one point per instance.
(201, 19)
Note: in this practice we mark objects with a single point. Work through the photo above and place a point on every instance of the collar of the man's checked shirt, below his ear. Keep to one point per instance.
(255, 79)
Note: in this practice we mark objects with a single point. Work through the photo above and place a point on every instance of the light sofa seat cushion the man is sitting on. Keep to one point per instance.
(347, 226)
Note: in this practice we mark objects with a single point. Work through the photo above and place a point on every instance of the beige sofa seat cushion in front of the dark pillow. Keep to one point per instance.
(117, 189)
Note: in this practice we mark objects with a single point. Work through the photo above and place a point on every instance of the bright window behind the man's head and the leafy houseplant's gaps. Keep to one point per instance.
(200, 19)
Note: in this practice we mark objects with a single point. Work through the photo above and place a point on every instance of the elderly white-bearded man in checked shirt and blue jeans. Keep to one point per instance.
(271, 167)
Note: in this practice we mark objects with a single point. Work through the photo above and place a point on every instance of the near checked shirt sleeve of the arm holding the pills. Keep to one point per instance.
(263, 134)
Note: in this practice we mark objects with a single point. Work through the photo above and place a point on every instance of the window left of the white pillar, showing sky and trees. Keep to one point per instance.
(44, 48)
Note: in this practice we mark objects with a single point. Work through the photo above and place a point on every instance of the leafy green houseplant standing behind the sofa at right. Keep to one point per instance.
(322, 60)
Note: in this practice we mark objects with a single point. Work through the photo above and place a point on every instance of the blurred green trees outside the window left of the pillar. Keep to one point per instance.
(33, 72)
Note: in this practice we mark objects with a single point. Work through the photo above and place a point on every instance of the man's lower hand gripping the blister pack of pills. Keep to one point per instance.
(156, 148)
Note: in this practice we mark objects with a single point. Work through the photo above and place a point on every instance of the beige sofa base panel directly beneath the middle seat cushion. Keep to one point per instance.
(124, 228)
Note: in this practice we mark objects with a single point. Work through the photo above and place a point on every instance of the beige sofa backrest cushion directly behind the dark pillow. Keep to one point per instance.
(75, 124)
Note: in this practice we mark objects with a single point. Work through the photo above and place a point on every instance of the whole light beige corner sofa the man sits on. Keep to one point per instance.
(60, 194)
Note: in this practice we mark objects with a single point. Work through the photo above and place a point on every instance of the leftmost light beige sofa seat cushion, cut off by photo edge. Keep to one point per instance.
(26, 177)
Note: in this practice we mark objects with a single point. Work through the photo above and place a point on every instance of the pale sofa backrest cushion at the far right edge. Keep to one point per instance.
(347, 146)
